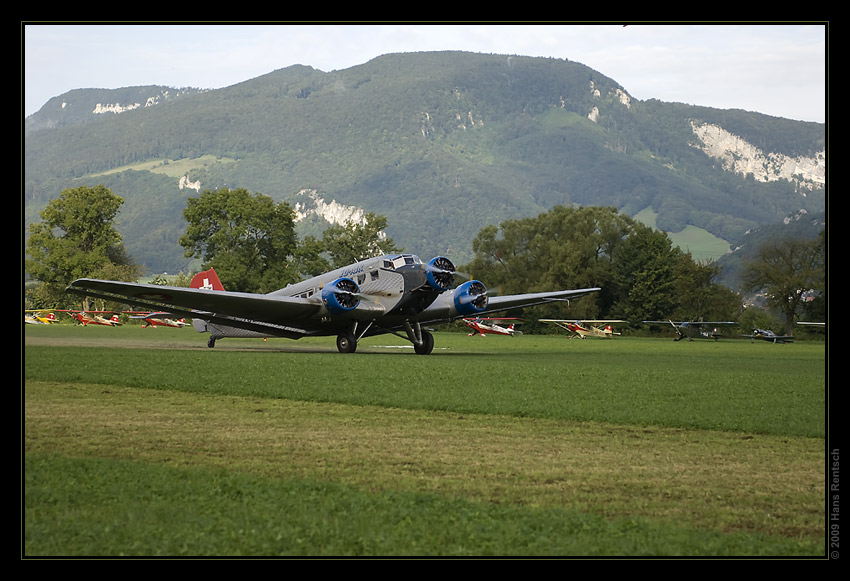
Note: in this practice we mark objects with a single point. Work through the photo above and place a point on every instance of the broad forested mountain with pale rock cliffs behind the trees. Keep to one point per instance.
(442, 144)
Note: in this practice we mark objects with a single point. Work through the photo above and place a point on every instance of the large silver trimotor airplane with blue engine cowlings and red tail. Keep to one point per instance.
(388, 294)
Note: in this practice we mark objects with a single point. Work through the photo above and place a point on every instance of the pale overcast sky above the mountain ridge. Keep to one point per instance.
(778, 69)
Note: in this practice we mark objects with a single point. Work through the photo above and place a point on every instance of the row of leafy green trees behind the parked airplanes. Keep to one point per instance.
(251, 242)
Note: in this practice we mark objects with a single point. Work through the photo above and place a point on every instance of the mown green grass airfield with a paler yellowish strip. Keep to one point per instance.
(143, 442)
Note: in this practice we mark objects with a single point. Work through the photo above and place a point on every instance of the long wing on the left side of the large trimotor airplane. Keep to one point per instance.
(277, 315)
